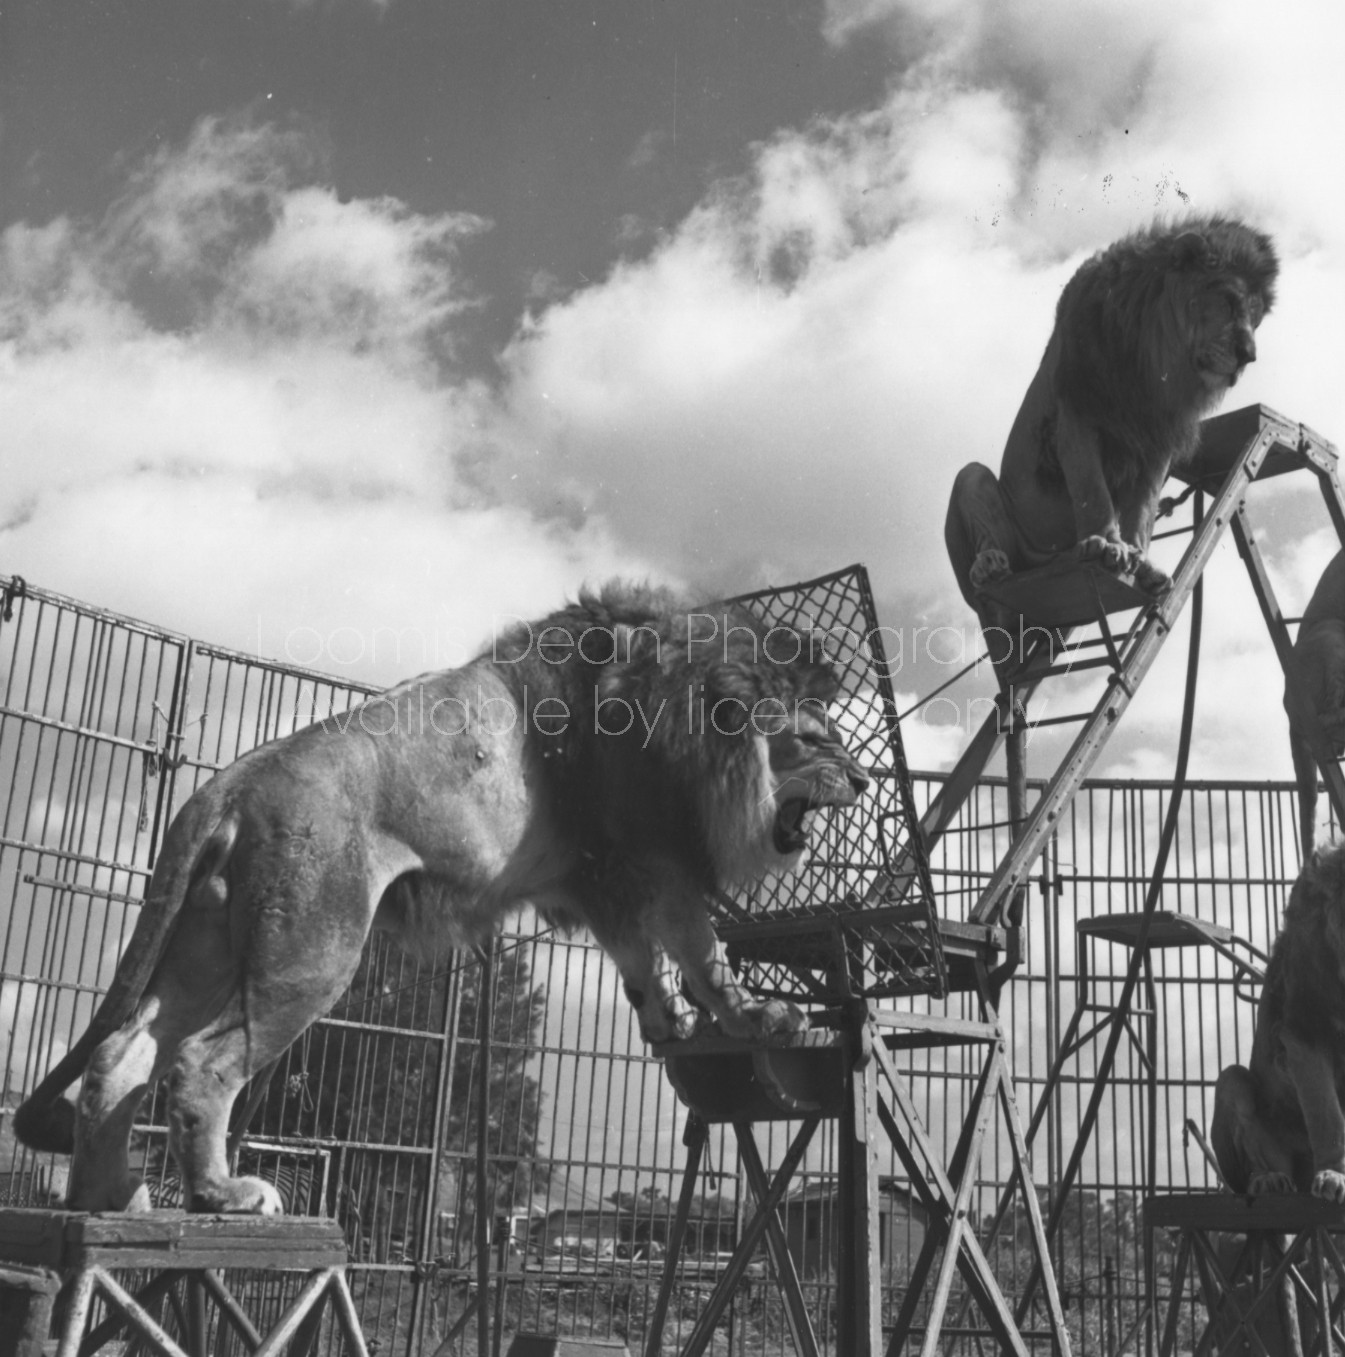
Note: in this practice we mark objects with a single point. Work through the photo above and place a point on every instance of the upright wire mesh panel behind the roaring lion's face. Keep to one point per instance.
(861, 910)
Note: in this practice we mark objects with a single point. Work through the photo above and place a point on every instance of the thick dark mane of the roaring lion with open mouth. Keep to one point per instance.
(697, 675)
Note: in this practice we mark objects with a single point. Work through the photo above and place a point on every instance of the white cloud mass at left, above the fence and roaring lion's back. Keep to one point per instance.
(230, 408)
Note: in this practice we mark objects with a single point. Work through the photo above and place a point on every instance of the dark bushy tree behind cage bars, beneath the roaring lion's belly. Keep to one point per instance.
(370, 1077)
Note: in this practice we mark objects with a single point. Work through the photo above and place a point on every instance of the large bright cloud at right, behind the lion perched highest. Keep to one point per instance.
(792, 381)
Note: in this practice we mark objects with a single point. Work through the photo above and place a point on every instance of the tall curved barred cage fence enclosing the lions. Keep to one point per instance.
(107, 728)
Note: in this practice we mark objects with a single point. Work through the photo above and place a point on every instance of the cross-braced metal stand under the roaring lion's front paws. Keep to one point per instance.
(849, 1073)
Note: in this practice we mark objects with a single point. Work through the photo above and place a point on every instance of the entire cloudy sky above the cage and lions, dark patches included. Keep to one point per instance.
(408, 316)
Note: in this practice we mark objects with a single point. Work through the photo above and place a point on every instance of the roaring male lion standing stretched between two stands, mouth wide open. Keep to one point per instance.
(613, 766)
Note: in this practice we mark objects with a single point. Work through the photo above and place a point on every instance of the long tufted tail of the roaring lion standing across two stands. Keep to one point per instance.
(45, 1122)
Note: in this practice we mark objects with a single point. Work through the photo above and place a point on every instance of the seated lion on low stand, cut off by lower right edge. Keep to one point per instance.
(1278, 1126)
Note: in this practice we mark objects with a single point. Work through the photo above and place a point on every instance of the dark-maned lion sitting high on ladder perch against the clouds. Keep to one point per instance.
(1150, 335)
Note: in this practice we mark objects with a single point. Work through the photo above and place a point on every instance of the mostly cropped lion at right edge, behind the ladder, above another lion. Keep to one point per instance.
(1320, 655)
